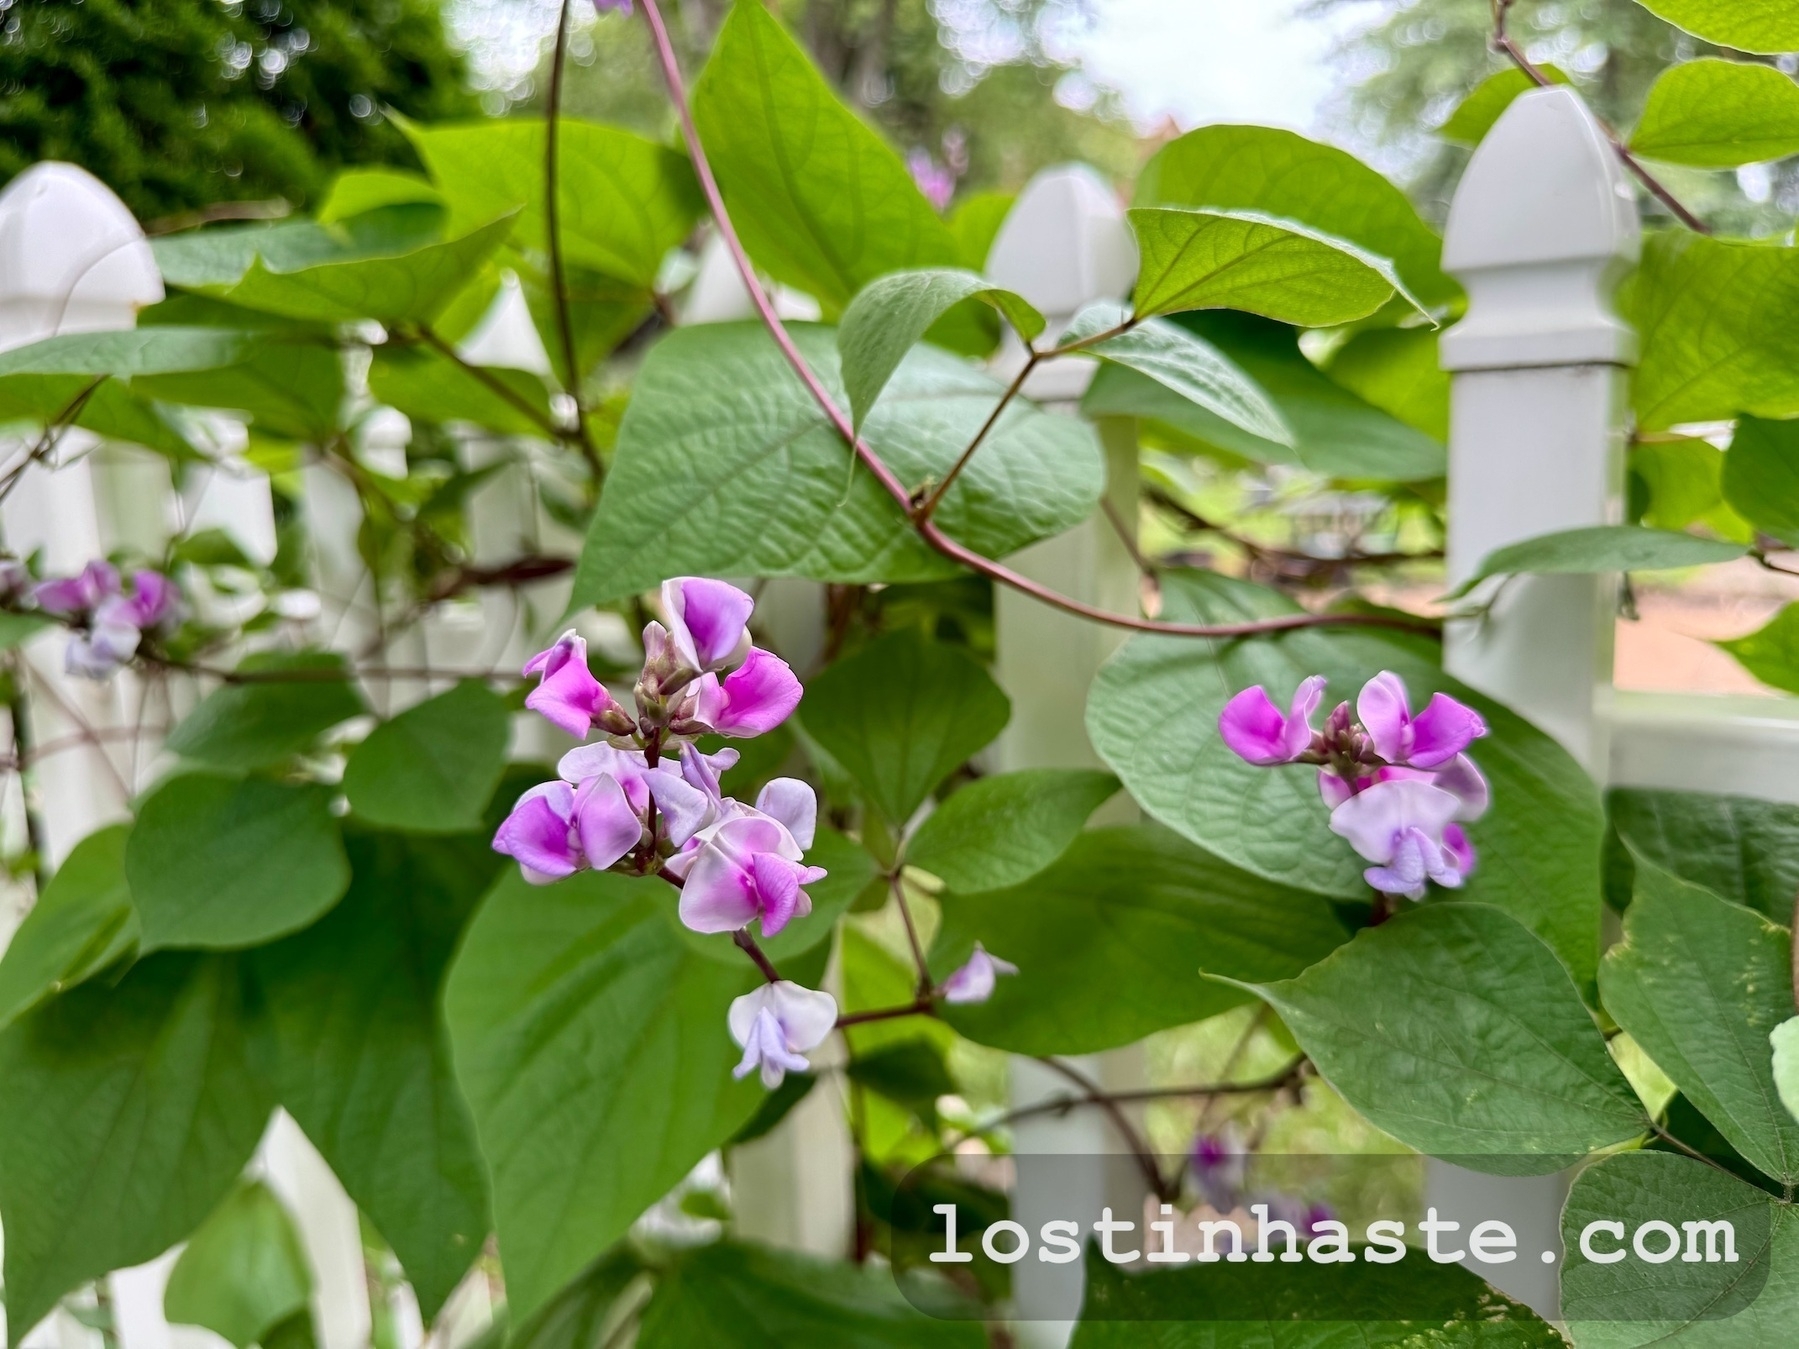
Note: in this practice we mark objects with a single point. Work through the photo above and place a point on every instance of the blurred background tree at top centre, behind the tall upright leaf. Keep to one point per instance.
(965, 82)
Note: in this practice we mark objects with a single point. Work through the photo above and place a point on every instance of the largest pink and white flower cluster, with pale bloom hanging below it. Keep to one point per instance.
(643, 800)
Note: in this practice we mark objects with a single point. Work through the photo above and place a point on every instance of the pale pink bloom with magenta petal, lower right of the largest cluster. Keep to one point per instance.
(749, 864)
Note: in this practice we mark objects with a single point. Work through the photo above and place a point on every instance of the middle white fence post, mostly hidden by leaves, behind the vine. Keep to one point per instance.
(1062, 247)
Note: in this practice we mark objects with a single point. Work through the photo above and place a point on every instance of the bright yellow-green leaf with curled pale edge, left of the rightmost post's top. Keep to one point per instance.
(1242, 260)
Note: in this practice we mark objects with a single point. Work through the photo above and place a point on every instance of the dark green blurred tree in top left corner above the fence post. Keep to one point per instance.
(184, 103)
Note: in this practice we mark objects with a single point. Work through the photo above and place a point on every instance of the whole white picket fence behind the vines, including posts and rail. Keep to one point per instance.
(1541, 233)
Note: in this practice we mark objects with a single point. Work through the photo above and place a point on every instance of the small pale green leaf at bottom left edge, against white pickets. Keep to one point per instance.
(244, 1271)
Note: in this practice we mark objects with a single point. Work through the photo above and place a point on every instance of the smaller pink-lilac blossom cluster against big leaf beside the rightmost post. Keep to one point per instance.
(1401, 787)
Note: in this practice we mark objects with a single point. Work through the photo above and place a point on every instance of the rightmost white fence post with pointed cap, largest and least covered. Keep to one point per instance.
(1541, 231)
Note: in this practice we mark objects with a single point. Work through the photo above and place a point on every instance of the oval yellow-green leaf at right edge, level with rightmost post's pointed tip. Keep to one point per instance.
(1719, 116)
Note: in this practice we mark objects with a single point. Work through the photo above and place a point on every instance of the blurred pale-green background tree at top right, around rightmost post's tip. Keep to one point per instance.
(1408, 71)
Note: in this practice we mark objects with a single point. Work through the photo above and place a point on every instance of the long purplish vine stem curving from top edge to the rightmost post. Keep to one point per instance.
(927, 530)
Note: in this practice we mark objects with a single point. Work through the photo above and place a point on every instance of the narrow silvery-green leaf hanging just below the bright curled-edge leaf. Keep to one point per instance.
(1186, 364)
